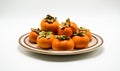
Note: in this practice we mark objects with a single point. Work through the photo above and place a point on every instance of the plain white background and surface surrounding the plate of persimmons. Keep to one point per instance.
(100, 16)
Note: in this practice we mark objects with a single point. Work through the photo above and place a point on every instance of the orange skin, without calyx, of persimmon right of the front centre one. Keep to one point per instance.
(81, 41)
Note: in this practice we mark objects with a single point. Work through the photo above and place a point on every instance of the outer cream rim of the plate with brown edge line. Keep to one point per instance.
(61, 52)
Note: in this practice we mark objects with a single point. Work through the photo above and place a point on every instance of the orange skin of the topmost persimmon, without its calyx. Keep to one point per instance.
(45, 26)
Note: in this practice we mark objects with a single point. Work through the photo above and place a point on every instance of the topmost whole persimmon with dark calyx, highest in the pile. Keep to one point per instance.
(50, 24)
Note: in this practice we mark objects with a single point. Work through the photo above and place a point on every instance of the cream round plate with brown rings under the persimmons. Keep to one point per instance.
(95, 43)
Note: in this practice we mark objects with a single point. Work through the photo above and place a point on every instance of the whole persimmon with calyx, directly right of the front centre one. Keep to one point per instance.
(81, 40)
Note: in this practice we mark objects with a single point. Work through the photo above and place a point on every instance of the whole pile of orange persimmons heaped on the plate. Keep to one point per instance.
(59, 37)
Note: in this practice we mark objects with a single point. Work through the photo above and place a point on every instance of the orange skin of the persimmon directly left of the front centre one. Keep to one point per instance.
(45, 42)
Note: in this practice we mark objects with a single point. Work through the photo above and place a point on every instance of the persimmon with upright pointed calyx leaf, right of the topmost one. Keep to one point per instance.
(65, 28)
